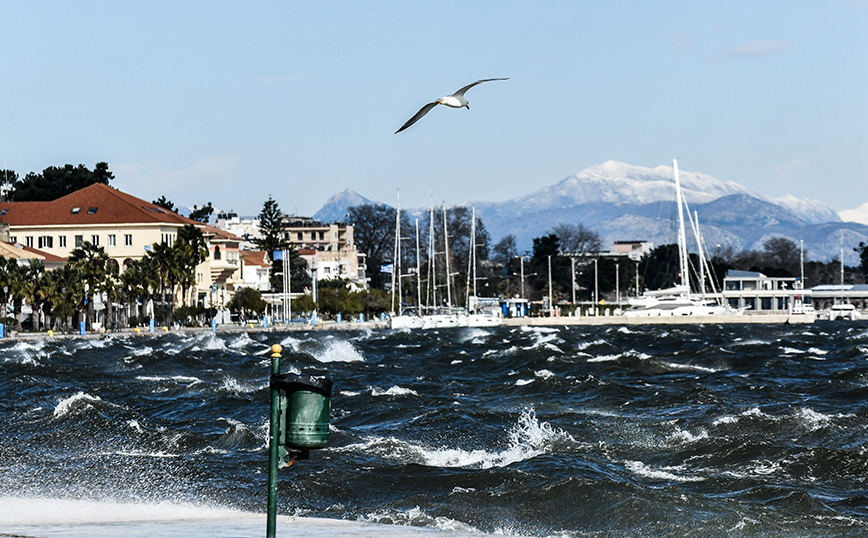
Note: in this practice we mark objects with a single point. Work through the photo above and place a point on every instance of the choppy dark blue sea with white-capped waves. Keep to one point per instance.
(582, 431)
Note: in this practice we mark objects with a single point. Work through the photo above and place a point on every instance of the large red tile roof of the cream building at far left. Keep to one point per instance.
(97, 204)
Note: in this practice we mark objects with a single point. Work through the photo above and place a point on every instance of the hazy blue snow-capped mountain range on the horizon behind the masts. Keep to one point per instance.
(625, 202)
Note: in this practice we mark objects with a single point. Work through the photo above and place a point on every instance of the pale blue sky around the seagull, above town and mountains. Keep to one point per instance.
(231, 102)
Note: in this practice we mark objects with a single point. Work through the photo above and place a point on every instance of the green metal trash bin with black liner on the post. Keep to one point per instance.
(305, 402)
